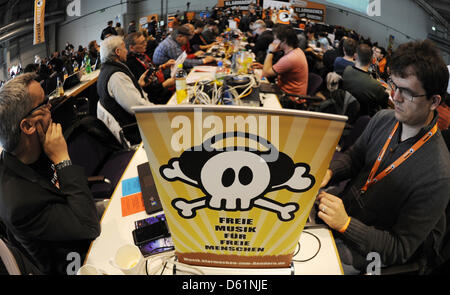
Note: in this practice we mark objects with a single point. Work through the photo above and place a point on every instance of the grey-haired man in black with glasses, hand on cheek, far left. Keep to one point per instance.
(45, 202)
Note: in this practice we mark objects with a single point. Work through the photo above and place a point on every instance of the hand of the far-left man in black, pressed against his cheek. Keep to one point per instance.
(53, 142)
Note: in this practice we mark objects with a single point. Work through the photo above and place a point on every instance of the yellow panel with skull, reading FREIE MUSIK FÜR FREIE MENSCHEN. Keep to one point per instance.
(237, 184)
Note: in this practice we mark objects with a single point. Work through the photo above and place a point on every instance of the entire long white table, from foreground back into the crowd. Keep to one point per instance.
(316, 252)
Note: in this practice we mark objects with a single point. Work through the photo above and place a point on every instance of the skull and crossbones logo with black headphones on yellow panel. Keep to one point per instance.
(237, 179)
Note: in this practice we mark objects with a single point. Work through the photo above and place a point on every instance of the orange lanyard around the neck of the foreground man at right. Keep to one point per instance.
(374, 179)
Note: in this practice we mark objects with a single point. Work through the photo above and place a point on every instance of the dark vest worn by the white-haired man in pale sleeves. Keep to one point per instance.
(110, 104)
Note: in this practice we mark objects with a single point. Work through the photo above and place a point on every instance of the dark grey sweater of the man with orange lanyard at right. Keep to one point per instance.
(401, 217)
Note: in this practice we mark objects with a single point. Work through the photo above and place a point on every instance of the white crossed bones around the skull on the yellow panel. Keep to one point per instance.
(285, 212)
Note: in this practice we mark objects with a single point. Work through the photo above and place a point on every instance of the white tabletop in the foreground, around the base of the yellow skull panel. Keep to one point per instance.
(116, 232)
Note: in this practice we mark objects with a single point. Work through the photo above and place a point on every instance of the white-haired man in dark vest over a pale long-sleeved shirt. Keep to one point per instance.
(119, 90)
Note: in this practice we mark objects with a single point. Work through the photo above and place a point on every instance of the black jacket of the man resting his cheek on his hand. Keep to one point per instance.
(47, 222)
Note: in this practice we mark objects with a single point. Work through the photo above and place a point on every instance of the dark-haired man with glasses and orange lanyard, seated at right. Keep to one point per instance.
(399, 170)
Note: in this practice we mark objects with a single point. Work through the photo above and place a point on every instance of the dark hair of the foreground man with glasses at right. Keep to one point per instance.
(423, 60)
